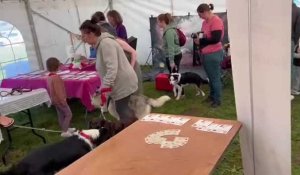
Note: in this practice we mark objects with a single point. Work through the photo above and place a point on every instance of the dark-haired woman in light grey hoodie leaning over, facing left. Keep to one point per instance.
(118, 76)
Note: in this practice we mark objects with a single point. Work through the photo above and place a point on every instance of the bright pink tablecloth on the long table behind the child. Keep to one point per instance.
(79, 84)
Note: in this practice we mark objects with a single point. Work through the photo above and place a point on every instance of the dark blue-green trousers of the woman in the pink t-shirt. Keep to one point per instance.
(212, 66)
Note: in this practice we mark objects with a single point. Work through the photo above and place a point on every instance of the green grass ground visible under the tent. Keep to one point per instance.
(231, 164)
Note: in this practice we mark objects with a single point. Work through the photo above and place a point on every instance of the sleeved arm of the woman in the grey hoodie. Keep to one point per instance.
(110, 59)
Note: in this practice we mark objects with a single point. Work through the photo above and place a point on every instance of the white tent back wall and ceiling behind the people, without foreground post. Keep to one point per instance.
(53, 38)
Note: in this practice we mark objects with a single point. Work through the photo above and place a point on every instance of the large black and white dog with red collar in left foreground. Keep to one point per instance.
(52, 158)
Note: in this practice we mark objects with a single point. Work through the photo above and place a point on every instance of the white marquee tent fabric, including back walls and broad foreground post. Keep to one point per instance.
(259, 32)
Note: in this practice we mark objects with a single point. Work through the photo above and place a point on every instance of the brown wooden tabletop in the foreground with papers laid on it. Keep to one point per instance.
(128, 154)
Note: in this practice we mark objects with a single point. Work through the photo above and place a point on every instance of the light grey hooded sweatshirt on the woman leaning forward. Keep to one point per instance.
(114, 68)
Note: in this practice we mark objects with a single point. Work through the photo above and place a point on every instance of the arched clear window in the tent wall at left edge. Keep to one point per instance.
(13, 55)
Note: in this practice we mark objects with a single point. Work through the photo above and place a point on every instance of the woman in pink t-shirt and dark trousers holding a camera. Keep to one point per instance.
(211, 47)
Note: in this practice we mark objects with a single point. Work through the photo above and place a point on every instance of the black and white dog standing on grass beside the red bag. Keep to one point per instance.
(179, 80)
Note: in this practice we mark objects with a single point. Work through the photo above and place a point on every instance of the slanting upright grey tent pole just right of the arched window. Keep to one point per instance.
(34, 35)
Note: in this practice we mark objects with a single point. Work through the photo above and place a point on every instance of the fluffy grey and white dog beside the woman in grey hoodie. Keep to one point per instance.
(141, 105)
